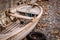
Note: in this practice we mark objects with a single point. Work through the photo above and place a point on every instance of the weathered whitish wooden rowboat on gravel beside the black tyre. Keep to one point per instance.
(21, 32)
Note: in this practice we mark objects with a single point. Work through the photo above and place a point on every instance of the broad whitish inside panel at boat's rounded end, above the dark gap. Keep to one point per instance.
(26, 9)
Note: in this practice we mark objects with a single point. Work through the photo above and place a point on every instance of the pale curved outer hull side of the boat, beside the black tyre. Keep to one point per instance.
(28, 29)
